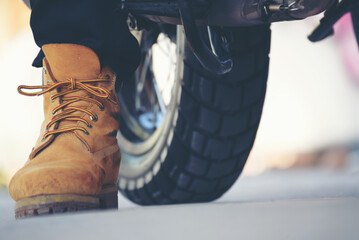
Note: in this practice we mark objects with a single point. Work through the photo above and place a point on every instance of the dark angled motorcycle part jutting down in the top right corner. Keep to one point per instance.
(332, 15)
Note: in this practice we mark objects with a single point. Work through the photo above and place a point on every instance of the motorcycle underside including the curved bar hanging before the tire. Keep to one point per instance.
(191, 12)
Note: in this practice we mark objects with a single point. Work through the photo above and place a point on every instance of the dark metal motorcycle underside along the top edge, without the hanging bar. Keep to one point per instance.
(227, 13)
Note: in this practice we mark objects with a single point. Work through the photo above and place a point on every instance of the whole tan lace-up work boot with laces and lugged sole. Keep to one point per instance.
(75, 162)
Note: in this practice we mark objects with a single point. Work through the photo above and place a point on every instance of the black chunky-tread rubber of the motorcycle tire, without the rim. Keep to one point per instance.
(216, 128)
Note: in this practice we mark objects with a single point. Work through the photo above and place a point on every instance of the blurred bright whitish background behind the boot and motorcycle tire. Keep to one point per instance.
(311, 114)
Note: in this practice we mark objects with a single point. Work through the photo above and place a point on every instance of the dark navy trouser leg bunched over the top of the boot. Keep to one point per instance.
(92, 23)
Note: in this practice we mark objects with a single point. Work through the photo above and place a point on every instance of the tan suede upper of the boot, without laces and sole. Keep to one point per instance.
(72, 162)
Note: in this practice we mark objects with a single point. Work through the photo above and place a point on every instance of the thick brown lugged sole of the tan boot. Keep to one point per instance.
(62, 203)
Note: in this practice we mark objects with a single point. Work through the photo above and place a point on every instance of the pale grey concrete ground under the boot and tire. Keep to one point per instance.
(276, 205)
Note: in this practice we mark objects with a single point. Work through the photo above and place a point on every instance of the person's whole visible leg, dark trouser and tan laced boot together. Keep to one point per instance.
(74, 164)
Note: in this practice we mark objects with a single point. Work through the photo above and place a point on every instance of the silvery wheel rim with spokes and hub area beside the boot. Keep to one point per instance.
(147, 124)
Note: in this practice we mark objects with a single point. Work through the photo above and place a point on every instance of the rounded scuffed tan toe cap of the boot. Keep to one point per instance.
(57, 177)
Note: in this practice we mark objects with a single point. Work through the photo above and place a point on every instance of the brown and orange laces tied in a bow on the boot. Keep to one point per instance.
(64, 88)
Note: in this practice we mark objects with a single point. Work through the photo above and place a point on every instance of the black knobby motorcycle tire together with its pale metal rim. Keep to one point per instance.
(212, 126)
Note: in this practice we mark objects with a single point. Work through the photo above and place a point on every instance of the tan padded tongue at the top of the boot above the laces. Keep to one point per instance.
(72, 61)
